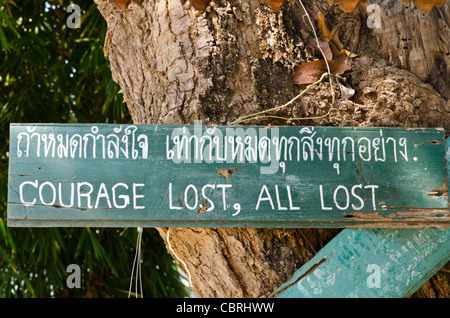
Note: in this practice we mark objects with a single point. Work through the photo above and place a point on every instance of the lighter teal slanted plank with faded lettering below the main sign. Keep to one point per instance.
(372, 263)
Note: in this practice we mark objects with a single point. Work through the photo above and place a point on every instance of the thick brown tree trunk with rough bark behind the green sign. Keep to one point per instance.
(176, 64)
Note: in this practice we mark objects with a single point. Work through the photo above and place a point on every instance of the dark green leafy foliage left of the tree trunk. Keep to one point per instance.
(52, 73)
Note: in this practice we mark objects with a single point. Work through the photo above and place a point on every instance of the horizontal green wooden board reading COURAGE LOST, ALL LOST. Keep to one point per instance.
(202, 176)
